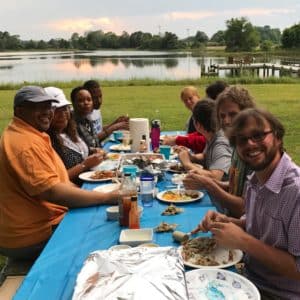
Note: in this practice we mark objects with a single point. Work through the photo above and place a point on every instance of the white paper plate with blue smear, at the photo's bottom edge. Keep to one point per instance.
(211, 284)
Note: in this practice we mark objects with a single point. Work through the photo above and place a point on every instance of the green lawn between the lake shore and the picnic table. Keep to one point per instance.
(162, 101)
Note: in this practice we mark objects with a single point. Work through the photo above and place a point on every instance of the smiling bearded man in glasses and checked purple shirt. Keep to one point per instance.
(268, 233)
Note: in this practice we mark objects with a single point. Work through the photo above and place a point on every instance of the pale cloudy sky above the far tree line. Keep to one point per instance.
(38, 19)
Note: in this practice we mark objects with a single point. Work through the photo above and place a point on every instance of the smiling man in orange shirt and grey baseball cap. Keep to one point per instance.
(34, 183)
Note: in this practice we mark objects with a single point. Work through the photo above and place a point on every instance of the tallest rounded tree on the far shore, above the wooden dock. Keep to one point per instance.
(240, 35)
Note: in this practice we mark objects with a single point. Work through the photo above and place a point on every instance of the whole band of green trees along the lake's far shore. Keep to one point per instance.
(240, 35)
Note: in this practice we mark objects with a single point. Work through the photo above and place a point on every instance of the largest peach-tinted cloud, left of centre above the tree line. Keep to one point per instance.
(81, 25)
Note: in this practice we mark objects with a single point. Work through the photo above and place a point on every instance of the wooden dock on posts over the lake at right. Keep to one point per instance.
(267, 68)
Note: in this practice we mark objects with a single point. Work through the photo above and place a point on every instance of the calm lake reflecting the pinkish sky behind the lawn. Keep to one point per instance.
(17, 67)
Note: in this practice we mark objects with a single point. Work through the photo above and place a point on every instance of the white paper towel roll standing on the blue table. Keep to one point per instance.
(139, 127)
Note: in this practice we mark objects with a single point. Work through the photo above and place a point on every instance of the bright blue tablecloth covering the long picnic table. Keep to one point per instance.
(83, 230)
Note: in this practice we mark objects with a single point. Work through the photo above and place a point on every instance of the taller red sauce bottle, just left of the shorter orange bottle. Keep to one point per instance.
(128, 189)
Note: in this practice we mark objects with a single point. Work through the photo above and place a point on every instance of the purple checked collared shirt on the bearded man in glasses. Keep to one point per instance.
(273, 216)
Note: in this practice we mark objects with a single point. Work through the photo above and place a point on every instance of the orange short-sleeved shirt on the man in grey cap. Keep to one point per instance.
(28, 166)
